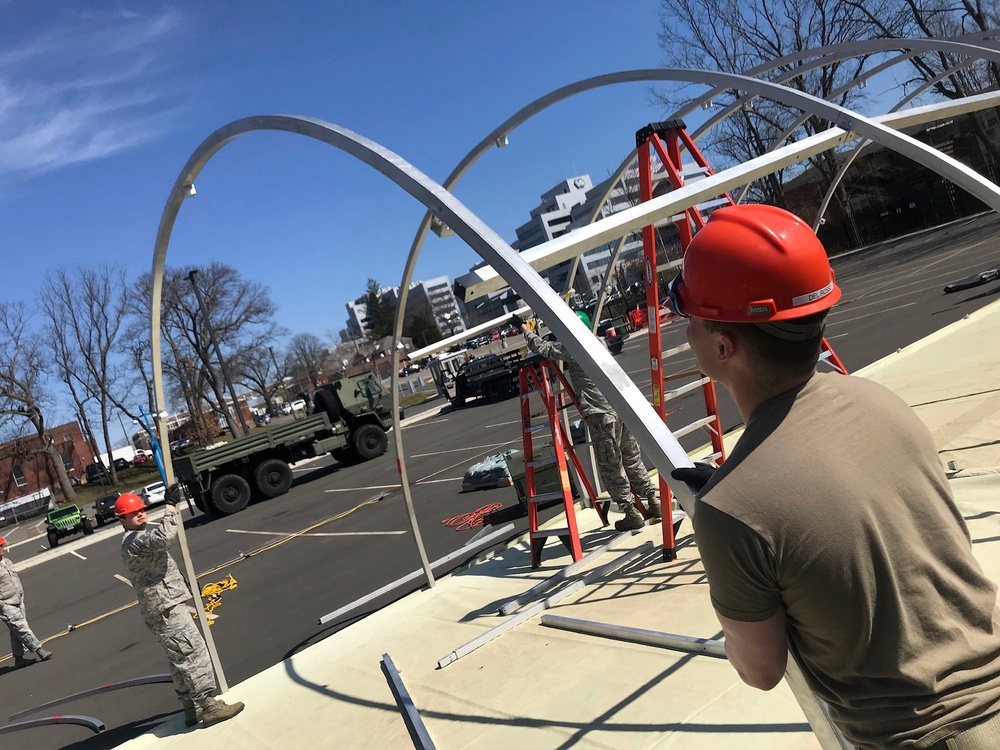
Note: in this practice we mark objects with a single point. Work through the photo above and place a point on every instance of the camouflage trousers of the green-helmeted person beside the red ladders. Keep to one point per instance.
(619, 461)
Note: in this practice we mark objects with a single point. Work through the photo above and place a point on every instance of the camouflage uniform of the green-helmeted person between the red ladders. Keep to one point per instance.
(619, 460)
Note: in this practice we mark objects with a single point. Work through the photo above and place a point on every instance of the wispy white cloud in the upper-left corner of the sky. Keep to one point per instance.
(85, 91)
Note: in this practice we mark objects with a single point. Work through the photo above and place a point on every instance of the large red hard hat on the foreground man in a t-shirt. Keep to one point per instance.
(753, 264)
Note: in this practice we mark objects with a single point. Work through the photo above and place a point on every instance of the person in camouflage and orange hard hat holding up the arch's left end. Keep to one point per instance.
(162, 595)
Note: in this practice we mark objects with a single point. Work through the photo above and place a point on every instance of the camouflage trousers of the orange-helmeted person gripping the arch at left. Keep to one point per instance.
(190, 666)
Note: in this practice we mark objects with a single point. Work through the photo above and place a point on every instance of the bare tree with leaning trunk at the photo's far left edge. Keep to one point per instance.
(22, 391)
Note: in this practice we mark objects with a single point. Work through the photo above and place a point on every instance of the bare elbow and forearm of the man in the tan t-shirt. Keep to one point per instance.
(757, 650)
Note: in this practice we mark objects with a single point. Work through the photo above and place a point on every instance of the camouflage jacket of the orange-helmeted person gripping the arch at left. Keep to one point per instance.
(154, 575)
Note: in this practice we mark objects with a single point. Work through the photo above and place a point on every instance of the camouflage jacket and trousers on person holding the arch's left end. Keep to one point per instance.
(162, 594)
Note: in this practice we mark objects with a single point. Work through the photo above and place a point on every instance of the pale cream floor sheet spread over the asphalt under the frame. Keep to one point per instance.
(537, 687)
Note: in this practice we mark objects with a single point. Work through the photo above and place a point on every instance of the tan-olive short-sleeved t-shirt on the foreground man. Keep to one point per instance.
(834, 506)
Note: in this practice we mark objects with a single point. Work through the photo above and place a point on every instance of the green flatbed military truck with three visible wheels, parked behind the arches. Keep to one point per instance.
(349, 420)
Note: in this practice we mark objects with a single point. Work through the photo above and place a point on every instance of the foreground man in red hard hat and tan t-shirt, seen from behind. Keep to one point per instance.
(830, 530)
